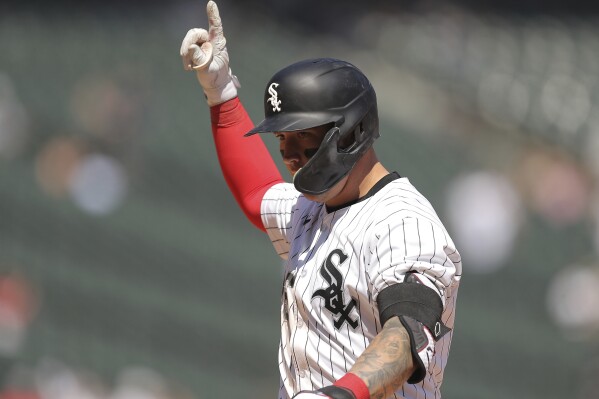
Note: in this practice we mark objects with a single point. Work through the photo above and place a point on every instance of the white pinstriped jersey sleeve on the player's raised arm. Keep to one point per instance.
(279, 208)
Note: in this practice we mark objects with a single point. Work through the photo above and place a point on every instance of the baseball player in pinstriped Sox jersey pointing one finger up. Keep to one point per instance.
(371, 274)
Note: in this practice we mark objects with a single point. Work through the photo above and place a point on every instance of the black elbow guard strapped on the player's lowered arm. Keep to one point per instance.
(417, 306)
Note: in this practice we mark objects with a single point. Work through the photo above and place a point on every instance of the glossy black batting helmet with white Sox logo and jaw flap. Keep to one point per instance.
(319, 92)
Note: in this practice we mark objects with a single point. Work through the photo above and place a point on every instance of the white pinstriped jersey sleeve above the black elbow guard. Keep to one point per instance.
(409, 244)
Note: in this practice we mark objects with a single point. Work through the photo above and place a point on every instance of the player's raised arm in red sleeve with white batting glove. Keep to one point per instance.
(246, 163)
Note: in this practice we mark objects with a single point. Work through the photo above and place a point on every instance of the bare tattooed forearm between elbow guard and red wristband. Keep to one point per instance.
(387, 362)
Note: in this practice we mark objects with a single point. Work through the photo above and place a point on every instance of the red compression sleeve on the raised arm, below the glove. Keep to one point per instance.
(248, 168)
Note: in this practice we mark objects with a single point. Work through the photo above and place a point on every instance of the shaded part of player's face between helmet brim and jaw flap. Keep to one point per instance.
(298, 147)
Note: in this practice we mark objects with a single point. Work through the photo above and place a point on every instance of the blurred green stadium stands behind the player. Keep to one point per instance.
(127, 270)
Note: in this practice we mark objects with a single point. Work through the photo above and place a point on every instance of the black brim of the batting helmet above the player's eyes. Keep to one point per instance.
(293, 122)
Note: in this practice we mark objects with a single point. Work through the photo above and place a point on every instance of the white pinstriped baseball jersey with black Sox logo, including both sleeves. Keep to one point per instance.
(336, 263)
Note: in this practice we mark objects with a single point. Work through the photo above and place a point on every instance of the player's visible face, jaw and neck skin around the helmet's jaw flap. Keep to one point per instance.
(357, 183)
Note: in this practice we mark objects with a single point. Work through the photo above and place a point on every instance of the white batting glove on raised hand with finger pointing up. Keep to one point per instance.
(206, 53)
